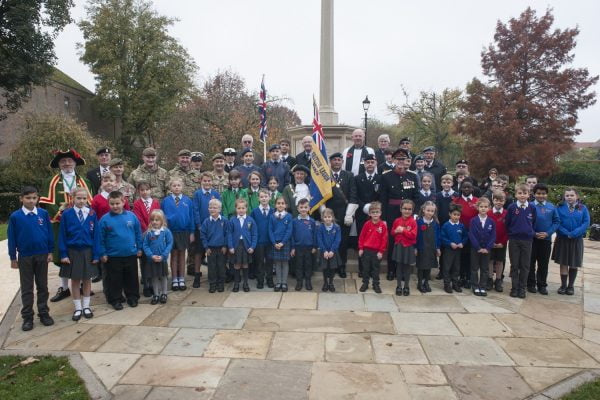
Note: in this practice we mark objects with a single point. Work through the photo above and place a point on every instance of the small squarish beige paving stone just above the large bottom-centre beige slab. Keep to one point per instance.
(348, 348)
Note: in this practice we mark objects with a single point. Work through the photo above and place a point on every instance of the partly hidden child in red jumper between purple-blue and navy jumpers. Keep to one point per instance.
(498, 256)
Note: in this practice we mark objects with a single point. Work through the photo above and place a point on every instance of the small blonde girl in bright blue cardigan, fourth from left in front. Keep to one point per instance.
(157, 244)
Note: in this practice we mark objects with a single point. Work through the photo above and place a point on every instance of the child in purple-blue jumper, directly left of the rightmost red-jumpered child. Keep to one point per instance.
(482, 235)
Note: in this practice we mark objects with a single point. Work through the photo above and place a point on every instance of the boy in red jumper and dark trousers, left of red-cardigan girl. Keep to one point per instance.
(372, 243)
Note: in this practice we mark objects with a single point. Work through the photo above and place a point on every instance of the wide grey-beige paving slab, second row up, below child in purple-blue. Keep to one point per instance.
(464, 351)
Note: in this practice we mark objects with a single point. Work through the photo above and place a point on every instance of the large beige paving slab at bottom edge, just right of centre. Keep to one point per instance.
(344, 381)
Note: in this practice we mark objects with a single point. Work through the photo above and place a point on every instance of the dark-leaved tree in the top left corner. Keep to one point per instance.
(27, 32)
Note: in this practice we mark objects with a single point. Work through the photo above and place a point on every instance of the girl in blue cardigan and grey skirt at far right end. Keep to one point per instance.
(568, 246)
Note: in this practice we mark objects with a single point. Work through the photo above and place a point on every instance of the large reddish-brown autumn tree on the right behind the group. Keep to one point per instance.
(525, 115)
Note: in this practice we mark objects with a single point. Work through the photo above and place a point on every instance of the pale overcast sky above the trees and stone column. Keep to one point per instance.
(380, 46)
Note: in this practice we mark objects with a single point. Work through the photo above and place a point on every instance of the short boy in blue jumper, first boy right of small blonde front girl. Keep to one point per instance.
(213, 232)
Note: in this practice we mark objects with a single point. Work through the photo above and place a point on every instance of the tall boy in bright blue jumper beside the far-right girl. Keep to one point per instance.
(546, 223)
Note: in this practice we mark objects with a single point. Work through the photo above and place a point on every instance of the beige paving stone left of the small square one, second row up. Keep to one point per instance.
(297, 346)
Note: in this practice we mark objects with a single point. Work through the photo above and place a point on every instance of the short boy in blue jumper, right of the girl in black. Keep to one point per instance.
(454, 236)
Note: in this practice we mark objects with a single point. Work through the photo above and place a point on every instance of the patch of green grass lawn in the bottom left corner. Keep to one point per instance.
(47, 378)
